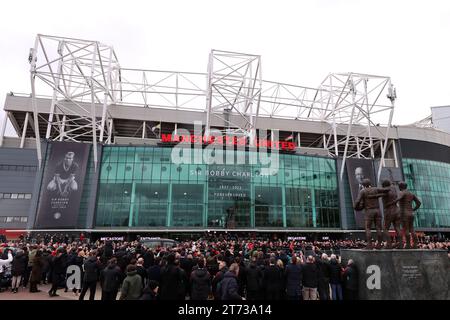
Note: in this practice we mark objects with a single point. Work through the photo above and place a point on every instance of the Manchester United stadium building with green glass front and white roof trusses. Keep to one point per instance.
(109, 150)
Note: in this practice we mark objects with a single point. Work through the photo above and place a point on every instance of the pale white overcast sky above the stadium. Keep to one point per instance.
(300, 41)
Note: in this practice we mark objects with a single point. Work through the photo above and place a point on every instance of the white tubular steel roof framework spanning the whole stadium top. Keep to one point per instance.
(81, 74)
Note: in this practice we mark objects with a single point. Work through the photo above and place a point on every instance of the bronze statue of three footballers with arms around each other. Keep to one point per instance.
(393, 214)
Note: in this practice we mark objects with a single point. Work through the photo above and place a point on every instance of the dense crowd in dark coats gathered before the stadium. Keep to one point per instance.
(210, 268)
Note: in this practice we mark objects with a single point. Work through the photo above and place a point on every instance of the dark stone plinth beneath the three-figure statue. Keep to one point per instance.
(401, 274)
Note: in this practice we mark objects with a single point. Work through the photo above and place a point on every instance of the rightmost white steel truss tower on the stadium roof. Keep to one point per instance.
(359, 102)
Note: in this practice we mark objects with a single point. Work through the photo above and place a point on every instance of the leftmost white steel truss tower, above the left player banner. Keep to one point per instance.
(81, 74)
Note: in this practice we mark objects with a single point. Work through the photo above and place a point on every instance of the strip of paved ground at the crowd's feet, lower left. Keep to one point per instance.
(24, 294)
